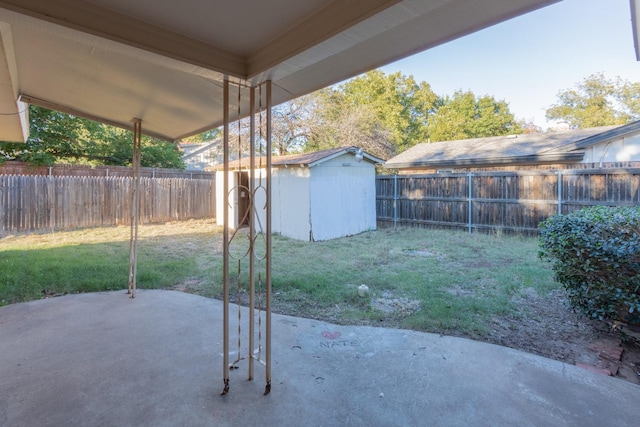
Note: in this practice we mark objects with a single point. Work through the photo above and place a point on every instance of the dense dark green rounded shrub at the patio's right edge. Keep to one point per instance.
(595, 255)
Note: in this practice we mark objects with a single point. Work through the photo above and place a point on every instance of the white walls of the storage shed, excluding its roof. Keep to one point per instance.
(327, 200)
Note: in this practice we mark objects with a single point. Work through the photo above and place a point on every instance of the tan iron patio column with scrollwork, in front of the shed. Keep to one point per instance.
(248, 247)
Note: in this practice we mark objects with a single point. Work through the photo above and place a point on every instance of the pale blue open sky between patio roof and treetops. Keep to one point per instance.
(528, 60)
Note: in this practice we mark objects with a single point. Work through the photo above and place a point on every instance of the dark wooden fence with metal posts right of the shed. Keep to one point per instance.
(514, 201)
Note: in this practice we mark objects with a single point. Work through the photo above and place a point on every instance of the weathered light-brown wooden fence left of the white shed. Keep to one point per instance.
(35, 202)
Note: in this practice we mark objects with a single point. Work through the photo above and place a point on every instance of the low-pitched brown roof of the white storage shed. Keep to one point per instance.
(303, 159)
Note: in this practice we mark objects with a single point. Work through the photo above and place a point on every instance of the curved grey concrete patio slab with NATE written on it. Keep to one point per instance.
(104, 359)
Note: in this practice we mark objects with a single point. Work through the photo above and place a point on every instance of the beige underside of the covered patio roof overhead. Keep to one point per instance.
(164, 62)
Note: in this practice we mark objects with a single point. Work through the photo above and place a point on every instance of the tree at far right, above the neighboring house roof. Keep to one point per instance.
(597, 101)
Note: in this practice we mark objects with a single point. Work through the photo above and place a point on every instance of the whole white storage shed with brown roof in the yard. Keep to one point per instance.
(315, 196)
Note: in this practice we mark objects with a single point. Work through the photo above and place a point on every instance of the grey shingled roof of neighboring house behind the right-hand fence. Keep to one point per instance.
(550, 147)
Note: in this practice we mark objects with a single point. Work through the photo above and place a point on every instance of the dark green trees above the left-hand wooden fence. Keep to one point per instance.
(57, 137)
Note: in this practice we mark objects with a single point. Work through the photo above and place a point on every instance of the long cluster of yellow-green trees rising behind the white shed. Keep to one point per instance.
(383, 114)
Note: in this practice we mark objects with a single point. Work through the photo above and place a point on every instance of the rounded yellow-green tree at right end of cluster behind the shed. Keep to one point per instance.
(464, 116)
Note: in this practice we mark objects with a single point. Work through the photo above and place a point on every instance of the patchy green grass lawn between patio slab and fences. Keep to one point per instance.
(428, 280)
